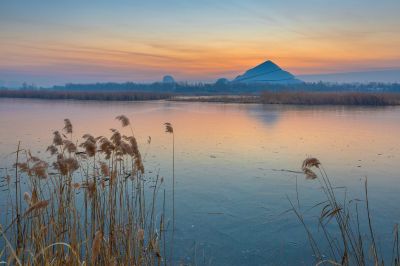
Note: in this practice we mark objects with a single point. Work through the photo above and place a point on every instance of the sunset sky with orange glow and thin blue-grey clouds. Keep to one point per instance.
(49, 42)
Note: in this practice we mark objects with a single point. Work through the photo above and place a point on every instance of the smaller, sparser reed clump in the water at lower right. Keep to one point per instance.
(341, 224)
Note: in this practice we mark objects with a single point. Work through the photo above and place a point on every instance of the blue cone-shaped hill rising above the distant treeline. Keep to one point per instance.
(267, 72)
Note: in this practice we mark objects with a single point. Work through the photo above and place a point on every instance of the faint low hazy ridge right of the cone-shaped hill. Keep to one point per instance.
(384, 76)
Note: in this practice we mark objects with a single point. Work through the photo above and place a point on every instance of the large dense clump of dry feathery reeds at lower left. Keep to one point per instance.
(87, 204)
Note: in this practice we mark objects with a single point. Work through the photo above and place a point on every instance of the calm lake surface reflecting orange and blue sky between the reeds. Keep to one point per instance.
(231, 192)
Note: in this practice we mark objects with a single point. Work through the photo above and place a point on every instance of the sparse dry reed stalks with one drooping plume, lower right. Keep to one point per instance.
(351, 248)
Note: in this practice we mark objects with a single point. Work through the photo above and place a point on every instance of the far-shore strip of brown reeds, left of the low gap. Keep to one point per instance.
(84, 95)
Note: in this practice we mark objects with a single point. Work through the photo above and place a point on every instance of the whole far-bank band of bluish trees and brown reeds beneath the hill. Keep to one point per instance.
(306, 93)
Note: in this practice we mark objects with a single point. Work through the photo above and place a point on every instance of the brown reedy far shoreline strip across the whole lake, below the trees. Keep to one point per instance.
(267, 97)
